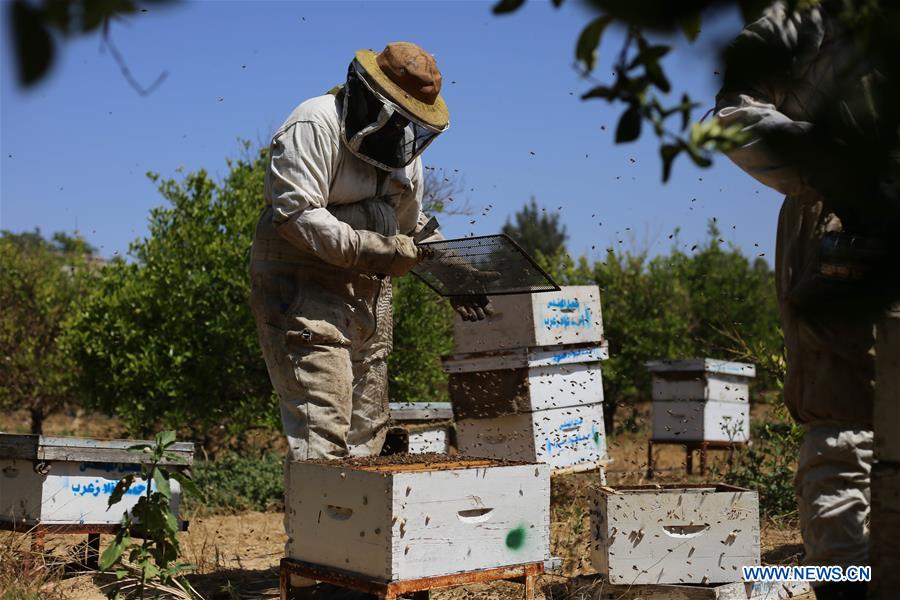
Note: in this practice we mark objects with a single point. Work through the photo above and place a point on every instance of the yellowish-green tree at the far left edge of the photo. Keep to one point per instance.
(40, 283)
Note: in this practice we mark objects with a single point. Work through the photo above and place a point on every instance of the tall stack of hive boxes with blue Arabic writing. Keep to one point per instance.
(526, 383)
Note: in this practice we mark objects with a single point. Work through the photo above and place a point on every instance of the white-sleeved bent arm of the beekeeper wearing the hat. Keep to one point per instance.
(301, 167)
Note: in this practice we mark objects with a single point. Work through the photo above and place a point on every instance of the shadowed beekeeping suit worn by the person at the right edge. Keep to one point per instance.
(829, 383)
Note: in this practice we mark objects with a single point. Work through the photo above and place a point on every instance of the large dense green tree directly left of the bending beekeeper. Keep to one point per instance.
(167, 339)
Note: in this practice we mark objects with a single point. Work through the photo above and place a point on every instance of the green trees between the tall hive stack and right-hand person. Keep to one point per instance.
(678, 305)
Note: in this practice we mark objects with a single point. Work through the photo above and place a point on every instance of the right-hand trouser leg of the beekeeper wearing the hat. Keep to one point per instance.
(369, 420)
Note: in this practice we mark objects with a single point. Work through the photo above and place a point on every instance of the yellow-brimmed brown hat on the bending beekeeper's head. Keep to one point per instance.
(408, 76)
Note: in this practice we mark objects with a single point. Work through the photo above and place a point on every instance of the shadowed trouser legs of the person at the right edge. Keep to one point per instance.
(828, 388)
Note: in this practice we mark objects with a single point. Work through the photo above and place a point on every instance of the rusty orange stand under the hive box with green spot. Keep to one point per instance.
(415, 588)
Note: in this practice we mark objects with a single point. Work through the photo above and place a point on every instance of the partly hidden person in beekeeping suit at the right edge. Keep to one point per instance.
(799, 71)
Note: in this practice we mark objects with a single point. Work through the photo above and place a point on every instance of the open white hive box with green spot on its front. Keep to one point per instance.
(408, 521)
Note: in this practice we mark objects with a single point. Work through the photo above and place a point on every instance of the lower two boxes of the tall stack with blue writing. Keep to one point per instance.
(534, 404)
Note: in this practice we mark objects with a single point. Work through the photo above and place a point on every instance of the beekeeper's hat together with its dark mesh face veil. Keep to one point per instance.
(392, 108)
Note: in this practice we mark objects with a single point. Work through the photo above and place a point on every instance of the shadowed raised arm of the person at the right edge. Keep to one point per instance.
(782, 153)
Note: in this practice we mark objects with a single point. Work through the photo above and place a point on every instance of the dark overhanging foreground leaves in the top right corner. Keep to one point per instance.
(641, 86)
